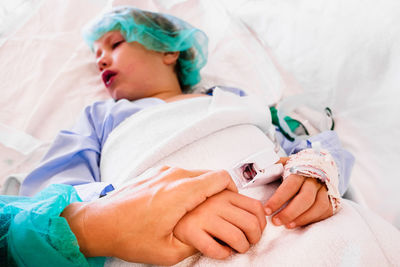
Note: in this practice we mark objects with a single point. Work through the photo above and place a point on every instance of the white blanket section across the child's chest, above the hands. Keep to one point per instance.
(202, 133)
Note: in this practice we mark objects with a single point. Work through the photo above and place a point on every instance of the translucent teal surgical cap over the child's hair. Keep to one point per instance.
(158, 32)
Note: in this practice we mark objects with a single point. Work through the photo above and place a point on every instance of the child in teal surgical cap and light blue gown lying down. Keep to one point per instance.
(147, 59)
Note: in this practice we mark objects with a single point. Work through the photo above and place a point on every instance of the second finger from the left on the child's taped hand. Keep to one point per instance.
(300, 204)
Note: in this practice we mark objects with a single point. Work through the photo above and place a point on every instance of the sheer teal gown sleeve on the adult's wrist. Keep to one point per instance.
(33, 234)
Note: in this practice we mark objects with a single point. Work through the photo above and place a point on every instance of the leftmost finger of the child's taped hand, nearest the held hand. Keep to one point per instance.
(284, 193)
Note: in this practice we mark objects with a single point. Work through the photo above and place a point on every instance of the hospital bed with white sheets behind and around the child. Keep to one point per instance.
(344, 55)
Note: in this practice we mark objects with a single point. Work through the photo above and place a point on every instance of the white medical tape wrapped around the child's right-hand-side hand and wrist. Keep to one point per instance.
(319, 164)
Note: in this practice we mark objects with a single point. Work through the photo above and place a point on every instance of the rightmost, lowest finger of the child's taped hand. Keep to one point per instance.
(321, 210)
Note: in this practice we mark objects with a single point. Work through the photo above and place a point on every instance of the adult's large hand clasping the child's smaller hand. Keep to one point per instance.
(136, 223)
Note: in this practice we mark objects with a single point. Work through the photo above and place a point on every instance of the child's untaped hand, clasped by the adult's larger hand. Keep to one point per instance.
(234, 219)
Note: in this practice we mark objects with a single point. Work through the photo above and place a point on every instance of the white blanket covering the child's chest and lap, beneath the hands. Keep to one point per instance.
(217, 132)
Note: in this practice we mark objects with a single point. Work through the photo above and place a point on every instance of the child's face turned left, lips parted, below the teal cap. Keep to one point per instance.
(129, 70)
